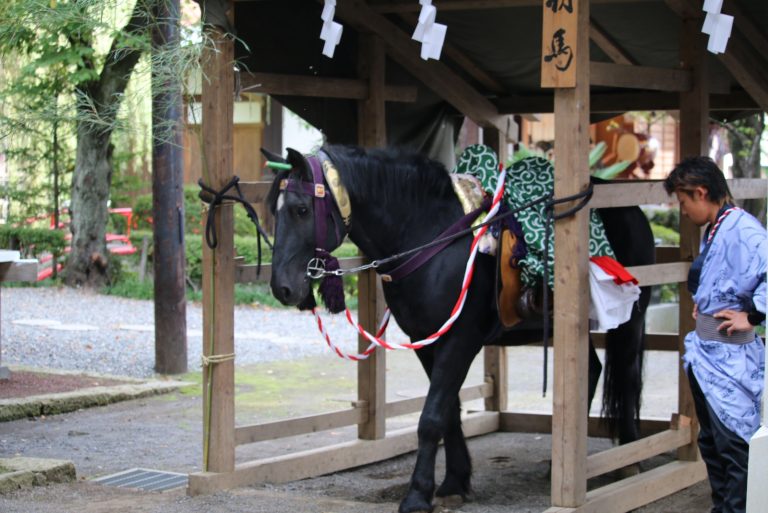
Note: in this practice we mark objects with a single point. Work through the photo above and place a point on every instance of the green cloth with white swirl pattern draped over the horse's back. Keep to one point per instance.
(527, 180)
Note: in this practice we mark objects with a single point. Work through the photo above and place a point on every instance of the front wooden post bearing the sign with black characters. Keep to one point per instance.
(571, 298)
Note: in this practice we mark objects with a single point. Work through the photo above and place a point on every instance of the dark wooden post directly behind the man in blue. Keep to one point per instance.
(694, 128)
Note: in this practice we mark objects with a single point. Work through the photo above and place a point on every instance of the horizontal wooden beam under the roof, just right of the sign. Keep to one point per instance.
(639, 77)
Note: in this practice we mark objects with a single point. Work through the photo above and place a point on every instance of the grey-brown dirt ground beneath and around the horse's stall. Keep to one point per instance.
(165, 433)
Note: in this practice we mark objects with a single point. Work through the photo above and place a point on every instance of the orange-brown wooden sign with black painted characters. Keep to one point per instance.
(558, 43)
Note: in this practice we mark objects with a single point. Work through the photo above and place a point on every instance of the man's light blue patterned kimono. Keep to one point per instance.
(732, 277)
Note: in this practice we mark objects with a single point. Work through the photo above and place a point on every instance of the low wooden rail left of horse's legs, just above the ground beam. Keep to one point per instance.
(300, 425)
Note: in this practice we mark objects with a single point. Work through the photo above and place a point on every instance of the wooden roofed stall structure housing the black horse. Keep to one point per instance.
(604, 75)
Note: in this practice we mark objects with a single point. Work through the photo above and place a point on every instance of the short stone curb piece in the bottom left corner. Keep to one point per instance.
(19, 473)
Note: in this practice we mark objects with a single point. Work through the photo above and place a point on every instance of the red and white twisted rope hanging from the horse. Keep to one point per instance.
(376, 340)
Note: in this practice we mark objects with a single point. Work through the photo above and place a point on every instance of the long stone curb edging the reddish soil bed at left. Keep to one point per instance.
(51, 404)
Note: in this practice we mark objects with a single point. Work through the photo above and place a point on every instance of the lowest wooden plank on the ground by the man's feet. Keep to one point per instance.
(644, 488)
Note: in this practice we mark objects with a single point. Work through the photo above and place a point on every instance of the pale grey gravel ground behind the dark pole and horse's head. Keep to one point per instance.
(62, 328)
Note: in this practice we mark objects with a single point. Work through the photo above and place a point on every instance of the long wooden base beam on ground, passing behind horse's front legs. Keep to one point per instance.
(315, 462)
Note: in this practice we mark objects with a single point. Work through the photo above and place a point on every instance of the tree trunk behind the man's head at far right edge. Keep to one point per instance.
(744, 139)
